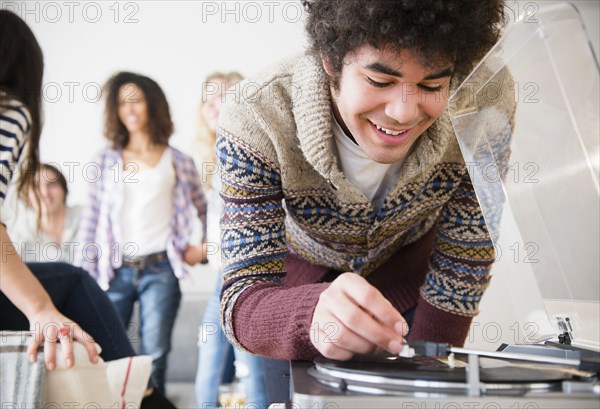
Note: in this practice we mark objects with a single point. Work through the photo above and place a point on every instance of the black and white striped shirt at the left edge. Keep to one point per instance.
(15, 125)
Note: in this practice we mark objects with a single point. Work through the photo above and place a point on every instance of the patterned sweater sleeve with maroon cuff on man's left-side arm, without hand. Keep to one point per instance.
(258, 314)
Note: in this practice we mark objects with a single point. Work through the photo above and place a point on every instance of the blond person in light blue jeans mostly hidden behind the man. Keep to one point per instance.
(214, 348)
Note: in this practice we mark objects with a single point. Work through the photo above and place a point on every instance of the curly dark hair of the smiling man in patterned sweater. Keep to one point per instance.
(437, 31)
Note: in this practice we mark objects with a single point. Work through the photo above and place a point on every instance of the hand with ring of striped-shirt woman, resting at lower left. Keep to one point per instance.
(49, 327)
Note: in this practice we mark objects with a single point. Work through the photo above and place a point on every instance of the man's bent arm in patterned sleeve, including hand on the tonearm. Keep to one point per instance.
(258, 313)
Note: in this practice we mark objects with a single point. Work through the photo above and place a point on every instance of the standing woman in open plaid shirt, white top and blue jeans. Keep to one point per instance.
(140, 222)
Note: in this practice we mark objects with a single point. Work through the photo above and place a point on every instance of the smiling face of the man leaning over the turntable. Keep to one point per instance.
(386, 99)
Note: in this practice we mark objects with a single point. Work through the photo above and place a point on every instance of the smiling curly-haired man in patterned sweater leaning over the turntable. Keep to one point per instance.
(350, 222)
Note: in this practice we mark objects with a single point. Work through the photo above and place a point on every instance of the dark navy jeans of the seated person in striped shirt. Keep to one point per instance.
(77, 296)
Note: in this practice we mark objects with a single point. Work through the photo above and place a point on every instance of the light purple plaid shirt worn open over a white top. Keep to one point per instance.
(100, 232)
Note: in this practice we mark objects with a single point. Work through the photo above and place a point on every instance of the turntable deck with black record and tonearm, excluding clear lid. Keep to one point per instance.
(447, 377)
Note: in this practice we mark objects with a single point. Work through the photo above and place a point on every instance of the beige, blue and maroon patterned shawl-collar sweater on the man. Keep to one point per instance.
(283, 191)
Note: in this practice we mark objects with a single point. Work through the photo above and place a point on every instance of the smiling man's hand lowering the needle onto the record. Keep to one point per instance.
(352, 317)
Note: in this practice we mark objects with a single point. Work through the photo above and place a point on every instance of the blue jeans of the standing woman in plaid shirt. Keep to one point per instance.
(157, 290)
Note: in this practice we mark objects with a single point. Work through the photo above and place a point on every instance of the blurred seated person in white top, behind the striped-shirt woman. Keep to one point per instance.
(52, 236)
